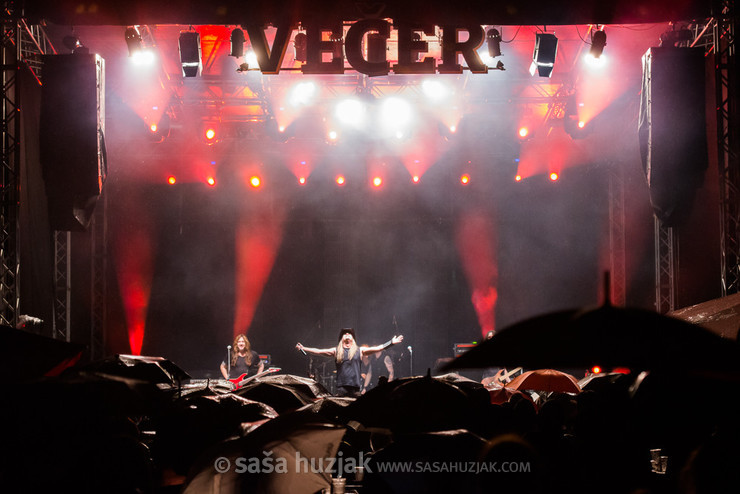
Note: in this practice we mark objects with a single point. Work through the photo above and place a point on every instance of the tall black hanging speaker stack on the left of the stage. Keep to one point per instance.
(72, 130)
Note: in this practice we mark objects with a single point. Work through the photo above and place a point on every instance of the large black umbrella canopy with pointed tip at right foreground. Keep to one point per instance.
(609, 337)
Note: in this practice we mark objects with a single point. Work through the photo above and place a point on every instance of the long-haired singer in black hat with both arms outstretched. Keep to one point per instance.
(348, 357)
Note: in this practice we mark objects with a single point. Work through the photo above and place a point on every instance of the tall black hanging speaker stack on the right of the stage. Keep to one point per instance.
(672, 129)
